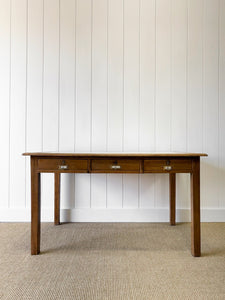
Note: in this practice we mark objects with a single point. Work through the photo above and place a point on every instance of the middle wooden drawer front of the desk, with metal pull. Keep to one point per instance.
(115, 166)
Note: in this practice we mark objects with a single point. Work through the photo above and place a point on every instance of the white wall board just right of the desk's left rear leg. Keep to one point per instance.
(67, 94)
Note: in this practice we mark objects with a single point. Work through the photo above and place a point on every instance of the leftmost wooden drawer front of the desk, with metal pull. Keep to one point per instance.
(65, 165)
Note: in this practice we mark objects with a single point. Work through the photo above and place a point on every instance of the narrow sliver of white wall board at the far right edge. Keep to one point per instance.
(222, 103)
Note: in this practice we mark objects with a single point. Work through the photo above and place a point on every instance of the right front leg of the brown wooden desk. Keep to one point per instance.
(195, 209)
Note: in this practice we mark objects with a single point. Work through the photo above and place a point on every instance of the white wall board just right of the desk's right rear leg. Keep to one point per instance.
(179, 93)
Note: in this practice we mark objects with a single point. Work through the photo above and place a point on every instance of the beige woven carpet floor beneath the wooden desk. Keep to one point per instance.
(112, 261)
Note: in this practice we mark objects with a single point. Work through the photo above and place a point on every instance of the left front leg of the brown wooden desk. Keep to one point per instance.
(35, 209)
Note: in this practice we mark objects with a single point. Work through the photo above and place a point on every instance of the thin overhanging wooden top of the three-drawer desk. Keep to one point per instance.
(115, 154)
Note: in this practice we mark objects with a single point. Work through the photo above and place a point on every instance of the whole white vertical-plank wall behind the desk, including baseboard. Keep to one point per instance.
(112, 75)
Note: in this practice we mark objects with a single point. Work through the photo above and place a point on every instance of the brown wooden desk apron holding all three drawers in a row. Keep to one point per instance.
(114, 165)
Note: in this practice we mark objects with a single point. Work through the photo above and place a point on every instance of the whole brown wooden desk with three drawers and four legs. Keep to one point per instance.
(168, 163)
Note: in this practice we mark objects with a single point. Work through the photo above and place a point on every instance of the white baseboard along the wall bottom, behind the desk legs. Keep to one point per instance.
(111, 215)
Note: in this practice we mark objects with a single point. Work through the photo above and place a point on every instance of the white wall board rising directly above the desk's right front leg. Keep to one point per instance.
(195, 76)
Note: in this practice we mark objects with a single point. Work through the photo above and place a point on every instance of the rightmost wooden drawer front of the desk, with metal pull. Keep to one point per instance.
(168, 166)
